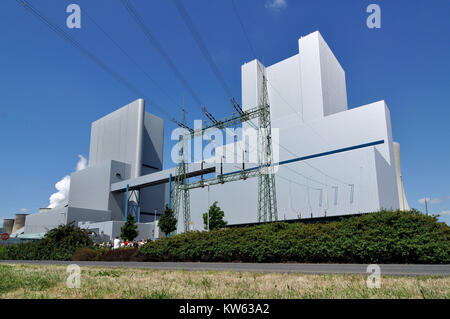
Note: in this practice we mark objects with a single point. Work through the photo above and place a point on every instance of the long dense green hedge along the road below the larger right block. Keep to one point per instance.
(383, 237)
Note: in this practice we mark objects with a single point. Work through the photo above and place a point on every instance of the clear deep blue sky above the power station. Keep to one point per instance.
(50, 92)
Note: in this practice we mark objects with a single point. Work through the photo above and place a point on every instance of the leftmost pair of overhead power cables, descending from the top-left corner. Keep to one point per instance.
(89, 54)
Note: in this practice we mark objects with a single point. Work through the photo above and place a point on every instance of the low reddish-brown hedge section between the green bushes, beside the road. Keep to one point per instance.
(106, 254)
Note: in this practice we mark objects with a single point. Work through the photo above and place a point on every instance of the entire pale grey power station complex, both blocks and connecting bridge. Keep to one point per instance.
(329, 160)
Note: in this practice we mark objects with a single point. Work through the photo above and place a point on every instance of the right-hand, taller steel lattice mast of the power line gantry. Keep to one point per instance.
(267, 198)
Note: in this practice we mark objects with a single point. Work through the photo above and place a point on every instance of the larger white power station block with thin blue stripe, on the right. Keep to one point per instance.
(333, 160)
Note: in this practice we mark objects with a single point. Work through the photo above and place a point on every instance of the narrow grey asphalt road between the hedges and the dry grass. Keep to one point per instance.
(386, 269)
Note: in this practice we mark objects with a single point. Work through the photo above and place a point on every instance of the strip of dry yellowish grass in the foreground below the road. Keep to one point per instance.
(49, 281)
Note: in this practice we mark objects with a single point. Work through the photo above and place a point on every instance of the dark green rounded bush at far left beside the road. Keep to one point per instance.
(58, 244)
